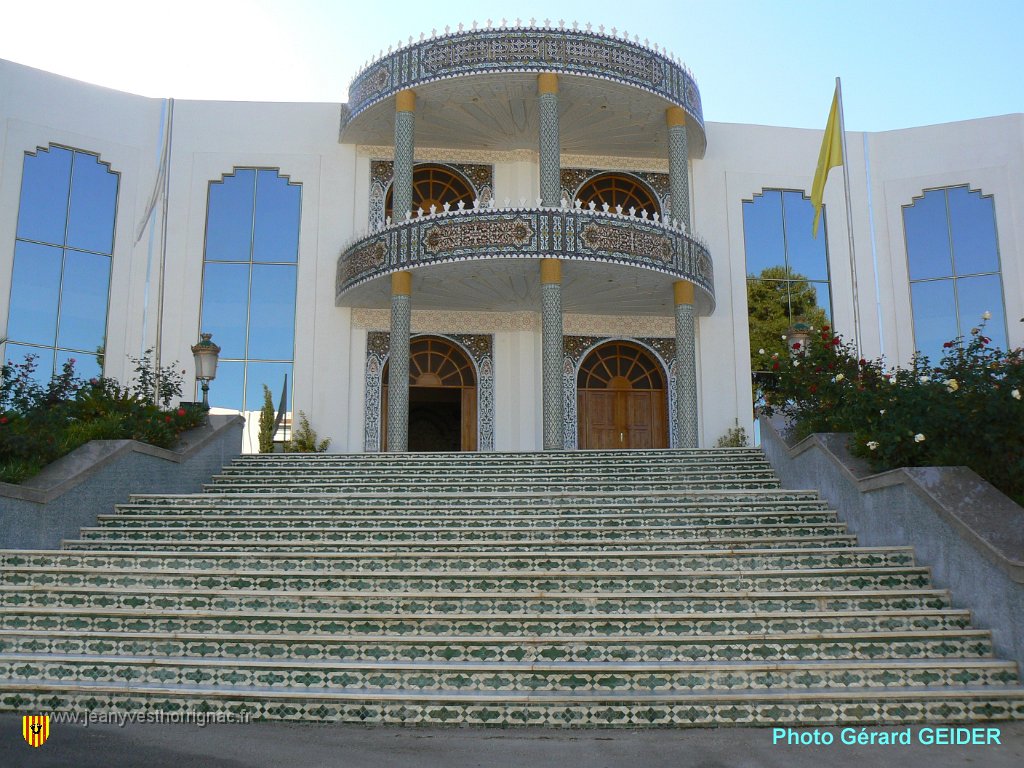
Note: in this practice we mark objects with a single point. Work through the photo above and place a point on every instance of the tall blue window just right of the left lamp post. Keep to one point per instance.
(249, 283)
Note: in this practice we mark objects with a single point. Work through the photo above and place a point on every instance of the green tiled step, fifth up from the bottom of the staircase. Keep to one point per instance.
(474, 605)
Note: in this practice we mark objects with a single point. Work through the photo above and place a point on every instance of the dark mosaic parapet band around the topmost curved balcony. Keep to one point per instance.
(511, 50)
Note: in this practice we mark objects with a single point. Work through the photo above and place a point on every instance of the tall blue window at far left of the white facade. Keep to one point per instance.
(61, 284)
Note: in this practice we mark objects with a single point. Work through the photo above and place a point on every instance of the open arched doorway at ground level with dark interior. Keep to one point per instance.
(442, 398)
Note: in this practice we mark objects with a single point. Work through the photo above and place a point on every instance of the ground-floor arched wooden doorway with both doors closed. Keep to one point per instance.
(622, 399)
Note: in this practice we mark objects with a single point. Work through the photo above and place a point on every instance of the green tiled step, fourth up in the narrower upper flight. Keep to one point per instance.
(491, 501)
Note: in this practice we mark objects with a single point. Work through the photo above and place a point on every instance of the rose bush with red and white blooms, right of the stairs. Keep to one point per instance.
(966, 410)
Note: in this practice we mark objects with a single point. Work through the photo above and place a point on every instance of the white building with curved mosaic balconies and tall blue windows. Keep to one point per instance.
(130, 223)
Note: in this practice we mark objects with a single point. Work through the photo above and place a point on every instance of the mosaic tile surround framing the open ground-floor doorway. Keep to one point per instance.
(479, 348)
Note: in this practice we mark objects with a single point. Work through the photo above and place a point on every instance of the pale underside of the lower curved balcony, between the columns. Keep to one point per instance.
(515, 285)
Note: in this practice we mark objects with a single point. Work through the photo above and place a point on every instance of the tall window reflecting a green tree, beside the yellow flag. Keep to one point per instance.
(788, 278)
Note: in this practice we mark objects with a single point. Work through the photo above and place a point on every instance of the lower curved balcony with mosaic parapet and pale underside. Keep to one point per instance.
(485, 260)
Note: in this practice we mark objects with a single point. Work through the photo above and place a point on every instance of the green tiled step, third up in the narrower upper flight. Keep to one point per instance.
(387, 520)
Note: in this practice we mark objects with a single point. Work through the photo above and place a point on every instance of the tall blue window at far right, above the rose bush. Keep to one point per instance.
(954, 263)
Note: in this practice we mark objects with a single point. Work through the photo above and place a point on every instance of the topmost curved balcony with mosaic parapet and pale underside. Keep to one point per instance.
(477, 90)
